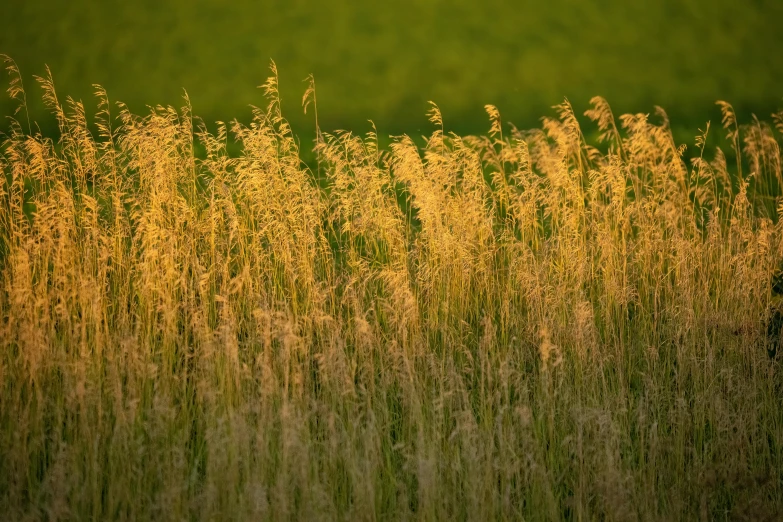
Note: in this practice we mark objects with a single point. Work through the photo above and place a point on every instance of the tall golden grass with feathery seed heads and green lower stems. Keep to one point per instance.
(511, 326)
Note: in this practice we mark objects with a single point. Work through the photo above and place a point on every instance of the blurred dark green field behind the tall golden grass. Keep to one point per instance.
(384, 60)
